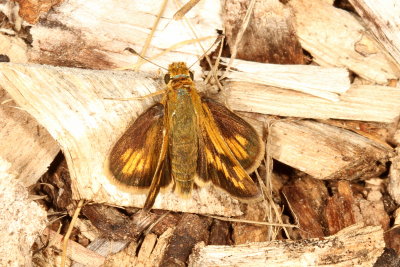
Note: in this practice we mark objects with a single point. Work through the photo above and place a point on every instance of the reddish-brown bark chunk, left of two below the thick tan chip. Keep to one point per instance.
(306, 199)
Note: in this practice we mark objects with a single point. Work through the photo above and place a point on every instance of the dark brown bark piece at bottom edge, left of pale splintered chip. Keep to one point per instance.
(190, 230)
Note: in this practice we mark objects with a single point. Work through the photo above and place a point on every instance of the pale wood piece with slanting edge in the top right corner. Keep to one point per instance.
(382, 18)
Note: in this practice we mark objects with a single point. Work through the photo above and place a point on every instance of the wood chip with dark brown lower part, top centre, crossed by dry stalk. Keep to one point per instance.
(270, 35)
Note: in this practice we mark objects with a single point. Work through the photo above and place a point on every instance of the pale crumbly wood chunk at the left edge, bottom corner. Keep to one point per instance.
(21, 220)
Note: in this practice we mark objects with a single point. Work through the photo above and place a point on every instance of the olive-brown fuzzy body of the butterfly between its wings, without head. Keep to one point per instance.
(183, 140)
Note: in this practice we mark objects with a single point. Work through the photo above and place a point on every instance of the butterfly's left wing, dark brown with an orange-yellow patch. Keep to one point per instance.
(134, 158)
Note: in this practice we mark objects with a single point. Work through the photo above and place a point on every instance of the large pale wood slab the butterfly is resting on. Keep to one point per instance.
(70, 104)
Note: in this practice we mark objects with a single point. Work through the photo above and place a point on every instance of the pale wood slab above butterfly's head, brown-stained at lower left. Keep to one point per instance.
(96, 33)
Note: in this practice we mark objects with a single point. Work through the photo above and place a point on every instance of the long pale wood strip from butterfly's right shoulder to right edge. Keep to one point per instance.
(360, 102)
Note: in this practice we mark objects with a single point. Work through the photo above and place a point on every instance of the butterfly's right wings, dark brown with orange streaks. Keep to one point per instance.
(221, 153)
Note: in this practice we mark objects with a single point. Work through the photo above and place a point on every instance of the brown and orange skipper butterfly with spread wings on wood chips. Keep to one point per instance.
(186, 139)
